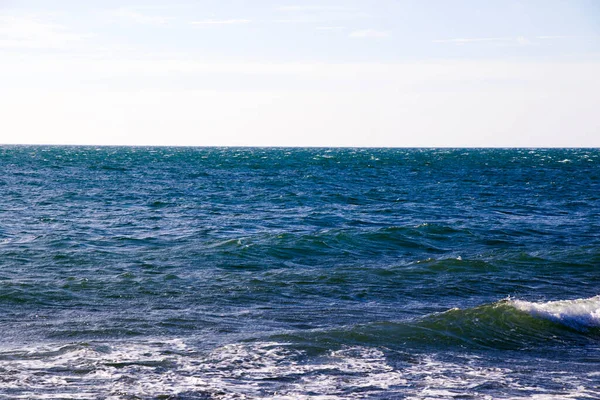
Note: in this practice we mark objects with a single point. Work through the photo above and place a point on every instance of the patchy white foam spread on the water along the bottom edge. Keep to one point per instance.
(264, 370)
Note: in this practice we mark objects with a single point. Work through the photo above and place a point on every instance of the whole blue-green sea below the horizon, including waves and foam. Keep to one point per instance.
(250, 273)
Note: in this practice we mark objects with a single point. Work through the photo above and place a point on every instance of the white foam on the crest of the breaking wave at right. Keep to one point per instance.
(578, 314)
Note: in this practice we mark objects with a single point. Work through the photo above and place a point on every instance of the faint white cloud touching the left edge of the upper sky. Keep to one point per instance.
(32, 33)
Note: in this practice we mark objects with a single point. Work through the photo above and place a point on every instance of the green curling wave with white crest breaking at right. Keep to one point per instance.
(503, 325)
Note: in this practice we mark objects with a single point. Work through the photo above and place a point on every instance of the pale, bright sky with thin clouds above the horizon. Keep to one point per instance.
(373, 73)
